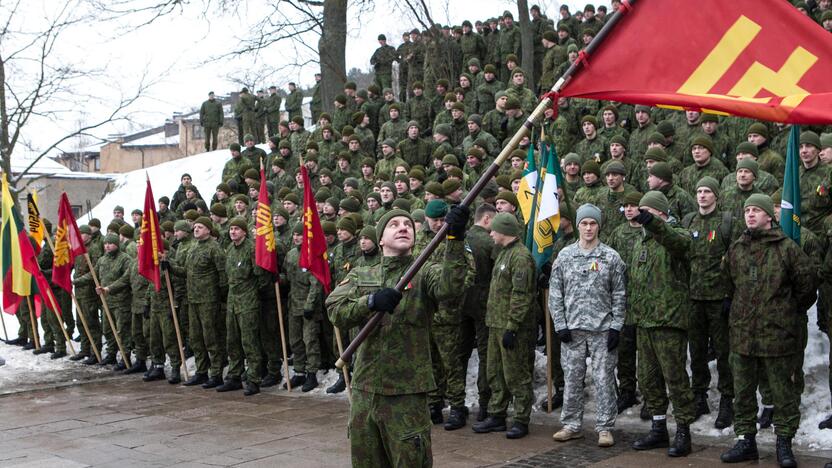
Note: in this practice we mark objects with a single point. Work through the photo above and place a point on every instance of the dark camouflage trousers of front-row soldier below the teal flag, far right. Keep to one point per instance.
(749, 371)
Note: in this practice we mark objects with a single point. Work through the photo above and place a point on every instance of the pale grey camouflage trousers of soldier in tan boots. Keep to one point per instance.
(590, 344)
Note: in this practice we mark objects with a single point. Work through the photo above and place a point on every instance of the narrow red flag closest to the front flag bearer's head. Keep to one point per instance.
(313, 249)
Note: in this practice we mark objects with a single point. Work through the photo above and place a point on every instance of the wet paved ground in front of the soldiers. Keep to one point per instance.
(123, 422)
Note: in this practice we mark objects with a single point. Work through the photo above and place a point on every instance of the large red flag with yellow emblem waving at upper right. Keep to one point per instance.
(724, 57)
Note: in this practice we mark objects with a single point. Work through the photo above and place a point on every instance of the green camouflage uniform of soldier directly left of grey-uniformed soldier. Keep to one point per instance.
(510, 300)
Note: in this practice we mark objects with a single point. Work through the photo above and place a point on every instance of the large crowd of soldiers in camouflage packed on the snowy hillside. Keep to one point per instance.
(688, 204)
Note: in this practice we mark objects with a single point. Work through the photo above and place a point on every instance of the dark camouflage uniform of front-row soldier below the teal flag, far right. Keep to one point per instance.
(772, 284)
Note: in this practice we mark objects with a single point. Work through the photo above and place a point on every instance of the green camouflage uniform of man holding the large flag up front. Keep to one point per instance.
(389, 422)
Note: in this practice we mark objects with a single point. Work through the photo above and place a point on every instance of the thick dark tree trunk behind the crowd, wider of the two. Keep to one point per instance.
(332, 50)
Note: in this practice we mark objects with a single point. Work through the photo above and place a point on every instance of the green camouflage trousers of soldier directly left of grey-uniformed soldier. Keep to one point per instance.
(510, 374)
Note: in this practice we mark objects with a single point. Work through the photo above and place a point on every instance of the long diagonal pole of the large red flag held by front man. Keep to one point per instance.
(522, 132)
